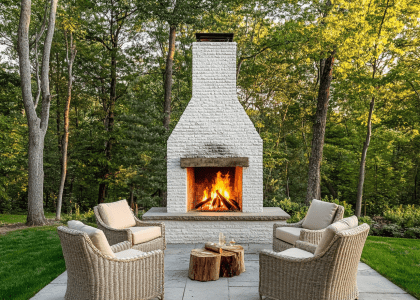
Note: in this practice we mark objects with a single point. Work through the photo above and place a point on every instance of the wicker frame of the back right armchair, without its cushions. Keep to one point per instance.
(307, 235)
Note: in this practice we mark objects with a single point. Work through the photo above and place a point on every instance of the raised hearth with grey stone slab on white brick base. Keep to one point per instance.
(201, 227)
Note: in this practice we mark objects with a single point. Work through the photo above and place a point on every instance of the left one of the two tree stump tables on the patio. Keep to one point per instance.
(204, 265)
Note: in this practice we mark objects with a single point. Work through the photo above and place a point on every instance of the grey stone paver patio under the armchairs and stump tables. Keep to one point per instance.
(178, 286)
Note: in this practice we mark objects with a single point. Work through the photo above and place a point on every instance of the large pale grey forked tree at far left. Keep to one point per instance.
(37, 125)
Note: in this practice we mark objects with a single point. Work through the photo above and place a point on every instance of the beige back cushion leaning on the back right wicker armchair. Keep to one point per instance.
(320, 215)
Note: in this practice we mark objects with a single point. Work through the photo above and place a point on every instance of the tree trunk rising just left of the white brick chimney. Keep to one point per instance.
(168, 77)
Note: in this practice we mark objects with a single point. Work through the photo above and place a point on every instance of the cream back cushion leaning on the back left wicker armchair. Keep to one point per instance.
(117, 214)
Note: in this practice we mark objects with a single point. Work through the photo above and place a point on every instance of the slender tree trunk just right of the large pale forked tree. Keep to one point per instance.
(65, 140)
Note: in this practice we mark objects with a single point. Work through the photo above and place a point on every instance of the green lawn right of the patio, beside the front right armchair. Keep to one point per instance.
(396, 259)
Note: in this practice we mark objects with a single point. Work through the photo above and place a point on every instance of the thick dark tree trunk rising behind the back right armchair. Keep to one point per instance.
(314, 173)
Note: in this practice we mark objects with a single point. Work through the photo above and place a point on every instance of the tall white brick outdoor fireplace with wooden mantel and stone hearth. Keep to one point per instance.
(215, 131)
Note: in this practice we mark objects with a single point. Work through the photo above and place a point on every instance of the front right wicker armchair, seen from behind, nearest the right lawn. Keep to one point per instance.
(330, 275)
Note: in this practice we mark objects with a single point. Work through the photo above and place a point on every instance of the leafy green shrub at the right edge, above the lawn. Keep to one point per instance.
(404, 216)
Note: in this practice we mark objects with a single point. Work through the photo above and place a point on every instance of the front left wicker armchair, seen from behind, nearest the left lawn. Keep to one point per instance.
(91, 275)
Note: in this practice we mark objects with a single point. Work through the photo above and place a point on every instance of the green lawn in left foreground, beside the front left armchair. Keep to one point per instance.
(30, 259)
